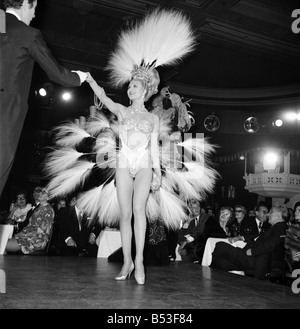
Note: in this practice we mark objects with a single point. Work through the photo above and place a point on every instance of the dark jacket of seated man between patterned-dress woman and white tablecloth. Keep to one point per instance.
(68, 226)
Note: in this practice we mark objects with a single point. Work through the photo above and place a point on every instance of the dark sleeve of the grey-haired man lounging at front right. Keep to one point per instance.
(267, 242)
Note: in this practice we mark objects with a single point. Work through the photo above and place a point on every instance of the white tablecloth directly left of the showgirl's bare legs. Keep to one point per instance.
(108, 242)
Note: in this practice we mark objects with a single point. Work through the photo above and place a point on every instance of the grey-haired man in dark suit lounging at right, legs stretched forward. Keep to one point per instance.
(254, 258)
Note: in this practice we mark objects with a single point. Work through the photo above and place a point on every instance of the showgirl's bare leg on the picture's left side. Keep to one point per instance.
(124, 184)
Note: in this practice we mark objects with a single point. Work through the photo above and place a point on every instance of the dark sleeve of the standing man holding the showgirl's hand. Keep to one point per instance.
(43, 56)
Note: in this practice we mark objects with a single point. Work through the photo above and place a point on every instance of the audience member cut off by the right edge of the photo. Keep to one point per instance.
(292, 240)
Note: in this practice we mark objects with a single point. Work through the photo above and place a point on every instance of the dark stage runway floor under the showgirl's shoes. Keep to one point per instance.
(53, 282)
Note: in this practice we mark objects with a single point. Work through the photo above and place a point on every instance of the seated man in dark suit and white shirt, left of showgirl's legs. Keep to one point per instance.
(76, 236)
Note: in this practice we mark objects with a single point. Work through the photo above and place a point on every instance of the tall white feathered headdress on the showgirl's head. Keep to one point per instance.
(161, 38)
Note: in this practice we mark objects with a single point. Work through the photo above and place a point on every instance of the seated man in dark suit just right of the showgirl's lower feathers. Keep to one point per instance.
(190, 236)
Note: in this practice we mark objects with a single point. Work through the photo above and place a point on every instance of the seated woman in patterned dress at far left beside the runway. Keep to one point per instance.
(36, 234)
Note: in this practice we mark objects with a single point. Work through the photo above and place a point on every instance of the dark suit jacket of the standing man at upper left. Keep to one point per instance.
(20, 47)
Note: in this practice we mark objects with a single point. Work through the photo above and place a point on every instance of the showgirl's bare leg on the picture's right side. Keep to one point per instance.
(142, 185)
